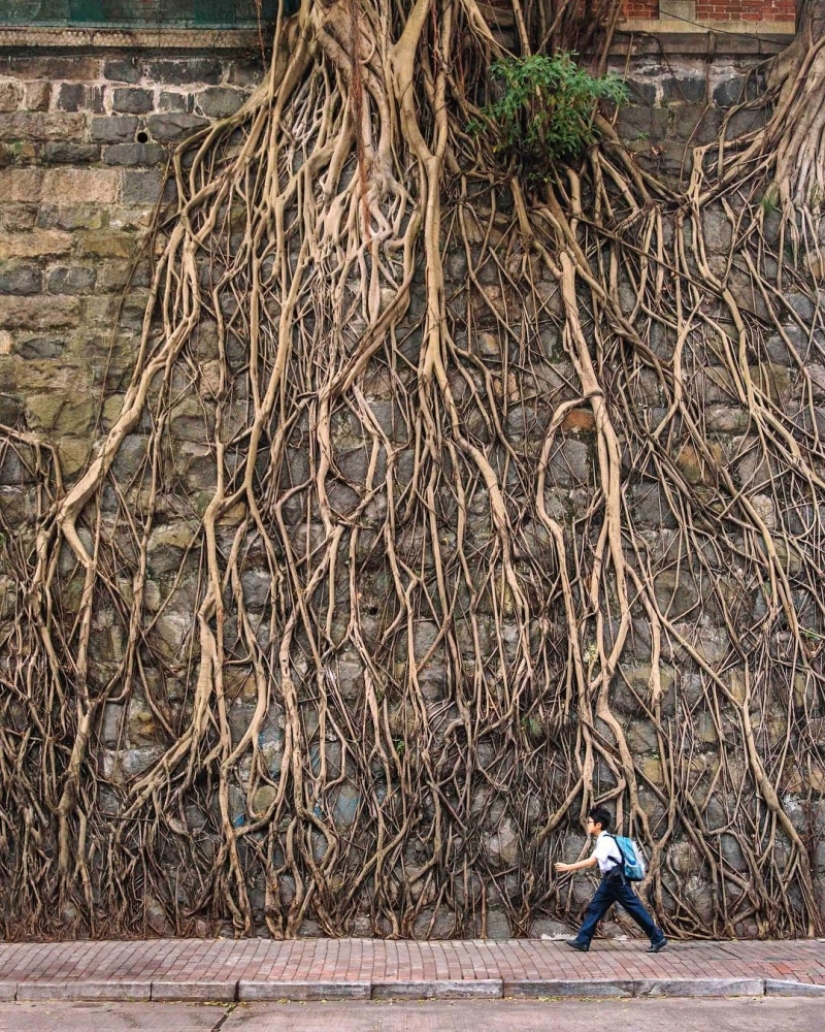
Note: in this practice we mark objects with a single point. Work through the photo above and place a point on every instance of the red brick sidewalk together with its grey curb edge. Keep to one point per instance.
(264, 970)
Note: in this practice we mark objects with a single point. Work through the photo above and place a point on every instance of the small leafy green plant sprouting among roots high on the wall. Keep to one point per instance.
(545, 116)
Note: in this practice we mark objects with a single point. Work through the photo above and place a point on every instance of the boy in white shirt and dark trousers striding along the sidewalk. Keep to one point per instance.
(615, 887)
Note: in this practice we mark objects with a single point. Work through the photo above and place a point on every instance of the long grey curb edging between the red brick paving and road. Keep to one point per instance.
(479, 989)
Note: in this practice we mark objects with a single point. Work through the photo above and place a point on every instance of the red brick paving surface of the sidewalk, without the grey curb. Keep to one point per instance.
(221, 961)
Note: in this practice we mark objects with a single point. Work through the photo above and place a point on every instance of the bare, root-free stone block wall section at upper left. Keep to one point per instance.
(84, 141)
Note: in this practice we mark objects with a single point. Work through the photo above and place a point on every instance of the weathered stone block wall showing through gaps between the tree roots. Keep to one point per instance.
(84, 140)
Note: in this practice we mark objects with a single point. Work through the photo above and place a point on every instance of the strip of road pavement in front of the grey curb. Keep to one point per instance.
(769, 1015)
